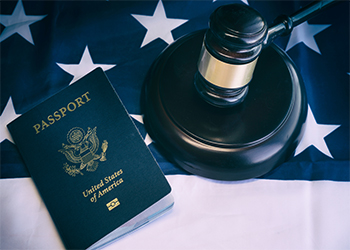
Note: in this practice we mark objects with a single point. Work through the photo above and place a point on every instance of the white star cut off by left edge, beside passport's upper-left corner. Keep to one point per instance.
(7, 116)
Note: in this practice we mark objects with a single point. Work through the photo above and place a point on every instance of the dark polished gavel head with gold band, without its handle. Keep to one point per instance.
(230, 51)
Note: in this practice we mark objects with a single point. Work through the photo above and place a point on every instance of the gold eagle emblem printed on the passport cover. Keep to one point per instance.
(82, 149)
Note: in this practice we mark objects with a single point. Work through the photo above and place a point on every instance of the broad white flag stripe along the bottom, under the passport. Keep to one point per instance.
(254, 214)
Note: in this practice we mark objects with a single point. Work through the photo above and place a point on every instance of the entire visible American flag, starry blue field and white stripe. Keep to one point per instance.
(301, 204)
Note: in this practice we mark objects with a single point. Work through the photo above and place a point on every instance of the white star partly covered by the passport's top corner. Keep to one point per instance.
(85, 66)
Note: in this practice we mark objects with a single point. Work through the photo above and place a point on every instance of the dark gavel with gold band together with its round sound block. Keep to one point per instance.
(198, 108)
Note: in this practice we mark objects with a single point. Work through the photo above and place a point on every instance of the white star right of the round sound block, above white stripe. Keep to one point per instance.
(315, 134)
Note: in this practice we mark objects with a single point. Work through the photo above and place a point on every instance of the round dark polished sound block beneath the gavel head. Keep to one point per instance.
(236, 143)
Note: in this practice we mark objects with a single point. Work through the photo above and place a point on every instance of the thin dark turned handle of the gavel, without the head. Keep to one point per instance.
(283, 24)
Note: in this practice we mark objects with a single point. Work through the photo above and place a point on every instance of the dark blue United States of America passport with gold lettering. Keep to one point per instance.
(95, 174)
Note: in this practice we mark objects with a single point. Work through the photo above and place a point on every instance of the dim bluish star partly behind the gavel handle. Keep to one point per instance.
(305, 33)
